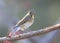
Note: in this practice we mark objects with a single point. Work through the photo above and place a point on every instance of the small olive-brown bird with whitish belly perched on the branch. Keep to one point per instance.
(23, 24)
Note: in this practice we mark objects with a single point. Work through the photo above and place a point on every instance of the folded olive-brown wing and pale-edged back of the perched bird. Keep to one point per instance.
(26, 18)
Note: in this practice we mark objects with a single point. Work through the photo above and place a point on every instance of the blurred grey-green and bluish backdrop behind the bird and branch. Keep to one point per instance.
(47, 14)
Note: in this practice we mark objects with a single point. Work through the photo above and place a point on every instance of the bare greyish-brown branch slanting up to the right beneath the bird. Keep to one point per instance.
(32, 33)
